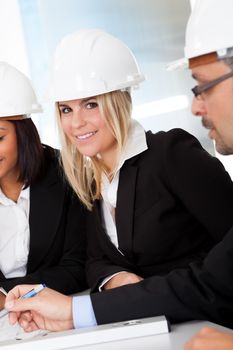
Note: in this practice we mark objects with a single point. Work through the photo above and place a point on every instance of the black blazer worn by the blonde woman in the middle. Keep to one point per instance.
(174, 202)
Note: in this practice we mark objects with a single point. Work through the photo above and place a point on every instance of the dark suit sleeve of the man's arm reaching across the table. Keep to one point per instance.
(202, 291)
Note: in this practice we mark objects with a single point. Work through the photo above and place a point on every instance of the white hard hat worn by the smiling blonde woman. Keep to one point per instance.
(91, 62)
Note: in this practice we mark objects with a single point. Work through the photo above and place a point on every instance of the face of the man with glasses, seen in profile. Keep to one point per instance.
(215, 106)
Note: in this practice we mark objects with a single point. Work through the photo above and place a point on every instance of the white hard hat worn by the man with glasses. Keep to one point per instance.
(209, 30)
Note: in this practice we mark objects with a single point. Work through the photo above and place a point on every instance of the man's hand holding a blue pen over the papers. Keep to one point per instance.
(48, 310)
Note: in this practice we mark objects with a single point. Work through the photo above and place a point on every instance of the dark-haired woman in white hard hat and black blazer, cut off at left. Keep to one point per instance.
(42, 222)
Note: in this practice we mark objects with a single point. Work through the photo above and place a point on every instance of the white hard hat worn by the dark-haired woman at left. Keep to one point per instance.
(16, 93)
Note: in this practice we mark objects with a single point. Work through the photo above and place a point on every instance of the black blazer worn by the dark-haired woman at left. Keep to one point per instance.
(57, 251)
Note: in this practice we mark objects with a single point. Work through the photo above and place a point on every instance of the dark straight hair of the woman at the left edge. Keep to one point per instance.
(30, 151)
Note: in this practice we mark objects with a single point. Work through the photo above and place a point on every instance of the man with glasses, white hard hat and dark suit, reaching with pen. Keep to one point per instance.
(202, 291)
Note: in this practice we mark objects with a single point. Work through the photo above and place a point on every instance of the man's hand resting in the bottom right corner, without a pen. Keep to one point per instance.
(210, 339)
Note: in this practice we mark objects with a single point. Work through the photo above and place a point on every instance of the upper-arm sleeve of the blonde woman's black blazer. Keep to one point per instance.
(199, 180)
